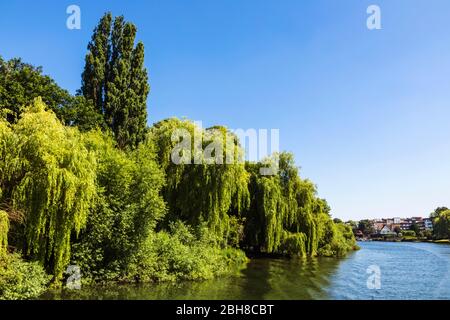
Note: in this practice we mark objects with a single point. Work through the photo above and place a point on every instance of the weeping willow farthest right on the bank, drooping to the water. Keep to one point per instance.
(285, 215)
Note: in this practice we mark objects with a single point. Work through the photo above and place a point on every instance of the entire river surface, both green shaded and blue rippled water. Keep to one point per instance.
(408, 271)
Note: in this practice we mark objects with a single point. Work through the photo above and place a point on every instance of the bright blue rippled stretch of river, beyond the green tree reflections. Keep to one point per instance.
(408, 271)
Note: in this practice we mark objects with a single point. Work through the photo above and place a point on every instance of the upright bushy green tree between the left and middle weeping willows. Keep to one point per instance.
(127, 207)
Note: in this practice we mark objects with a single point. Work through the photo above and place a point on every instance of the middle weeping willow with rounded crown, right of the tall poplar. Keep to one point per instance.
(206, 180)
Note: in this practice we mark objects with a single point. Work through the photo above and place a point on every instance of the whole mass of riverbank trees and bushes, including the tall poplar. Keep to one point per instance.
(84, 181)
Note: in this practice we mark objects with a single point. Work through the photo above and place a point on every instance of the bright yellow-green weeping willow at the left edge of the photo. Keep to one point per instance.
(49, 176)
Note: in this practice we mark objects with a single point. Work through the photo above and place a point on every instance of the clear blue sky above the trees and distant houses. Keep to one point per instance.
(365, 112)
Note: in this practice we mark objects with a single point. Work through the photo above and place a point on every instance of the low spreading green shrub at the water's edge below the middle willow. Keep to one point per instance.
(179, 255)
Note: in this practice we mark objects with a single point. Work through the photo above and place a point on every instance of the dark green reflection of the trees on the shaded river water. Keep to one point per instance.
(277, 279)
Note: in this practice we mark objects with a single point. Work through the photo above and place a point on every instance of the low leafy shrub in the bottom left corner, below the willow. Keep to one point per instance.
(20, 279)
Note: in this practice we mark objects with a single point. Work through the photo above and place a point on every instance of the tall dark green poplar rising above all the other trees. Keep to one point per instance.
(116, 80)
